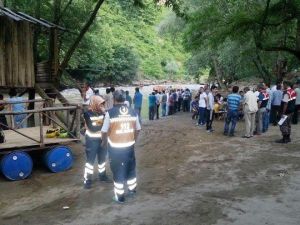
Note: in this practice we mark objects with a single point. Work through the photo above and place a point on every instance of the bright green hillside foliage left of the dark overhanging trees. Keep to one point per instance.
(122, 44)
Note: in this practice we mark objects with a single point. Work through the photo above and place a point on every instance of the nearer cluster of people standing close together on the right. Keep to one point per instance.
(258, 107)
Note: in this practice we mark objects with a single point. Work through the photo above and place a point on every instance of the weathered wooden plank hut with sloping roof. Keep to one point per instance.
(17, 65)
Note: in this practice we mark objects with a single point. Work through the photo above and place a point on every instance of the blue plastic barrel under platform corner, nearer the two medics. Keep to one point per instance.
(59, 159)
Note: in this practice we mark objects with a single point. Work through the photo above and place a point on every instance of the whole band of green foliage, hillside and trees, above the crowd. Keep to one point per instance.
(226, 40)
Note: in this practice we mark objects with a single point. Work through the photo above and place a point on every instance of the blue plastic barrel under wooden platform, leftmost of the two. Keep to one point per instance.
(16, 165)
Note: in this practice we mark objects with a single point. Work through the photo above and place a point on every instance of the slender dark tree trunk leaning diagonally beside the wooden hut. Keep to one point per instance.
(72, 49)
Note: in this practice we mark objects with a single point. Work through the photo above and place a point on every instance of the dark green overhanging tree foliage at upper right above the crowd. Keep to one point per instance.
(237, 38)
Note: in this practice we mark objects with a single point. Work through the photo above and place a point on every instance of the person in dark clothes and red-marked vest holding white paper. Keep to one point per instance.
(287, 109)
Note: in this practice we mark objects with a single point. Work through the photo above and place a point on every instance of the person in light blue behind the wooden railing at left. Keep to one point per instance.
(18, 107)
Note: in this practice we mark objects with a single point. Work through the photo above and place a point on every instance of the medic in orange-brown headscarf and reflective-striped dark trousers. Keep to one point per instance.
(94, 118)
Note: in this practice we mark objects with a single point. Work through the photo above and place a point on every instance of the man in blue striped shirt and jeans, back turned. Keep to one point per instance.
(233, 105)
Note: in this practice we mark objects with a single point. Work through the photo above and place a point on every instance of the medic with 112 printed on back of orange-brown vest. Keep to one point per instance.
(120, 131)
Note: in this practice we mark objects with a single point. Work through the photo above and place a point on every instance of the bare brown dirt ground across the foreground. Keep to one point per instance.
(185, 176)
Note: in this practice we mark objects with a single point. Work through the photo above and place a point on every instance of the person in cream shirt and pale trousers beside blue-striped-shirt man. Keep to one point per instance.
(250, 109)
